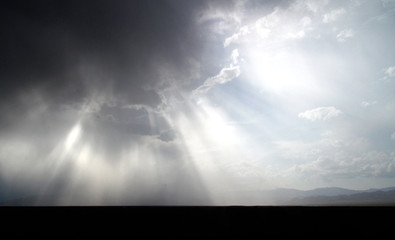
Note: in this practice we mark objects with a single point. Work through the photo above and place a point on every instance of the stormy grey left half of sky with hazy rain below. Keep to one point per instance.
(101, 65)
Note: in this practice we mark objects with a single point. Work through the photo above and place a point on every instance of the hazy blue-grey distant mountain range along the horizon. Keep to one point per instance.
(277, 197)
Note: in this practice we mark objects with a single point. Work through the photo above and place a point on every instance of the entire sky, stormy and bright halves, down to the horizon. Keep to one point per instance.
(181, 102)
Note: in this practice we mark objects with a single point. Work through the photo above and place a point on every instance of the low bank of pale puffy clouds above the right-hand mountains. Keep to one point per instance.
(332, 158)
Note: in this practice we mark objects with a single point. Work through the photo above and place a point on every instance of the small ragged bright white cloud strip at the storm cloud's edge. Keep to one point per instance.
(225, 75)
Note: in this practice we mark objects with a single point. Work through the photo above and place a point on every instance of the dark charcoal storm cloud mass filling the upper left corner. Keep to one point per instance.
(64, 49)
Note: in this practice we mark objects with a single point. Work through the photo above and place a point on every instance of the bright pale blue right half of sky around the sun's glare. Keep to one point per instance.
(314, 92)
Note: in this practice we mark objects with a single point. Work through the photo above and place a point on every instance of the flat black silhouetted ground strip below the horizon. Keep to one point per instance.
(198, 222)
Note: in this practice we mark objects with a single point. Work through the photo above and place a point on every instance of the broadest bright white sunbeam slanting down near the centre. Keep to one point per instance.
(217, 148)
